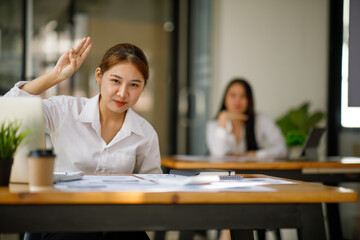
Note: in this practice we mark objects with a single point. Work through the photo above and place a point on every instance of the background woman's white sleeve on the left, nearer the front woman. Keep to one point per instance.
(218, 139)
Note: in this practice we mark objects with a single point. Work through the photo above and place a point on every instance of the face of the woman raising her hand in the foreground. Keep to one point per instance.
(120, 86)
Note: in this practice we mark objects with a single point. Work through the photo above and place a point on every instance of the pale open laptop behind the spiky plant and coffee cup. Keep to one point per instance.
(29, 112)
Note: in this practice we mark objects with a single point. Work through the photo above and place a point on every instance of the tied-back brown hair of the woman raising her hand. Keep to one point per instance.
(125, 53)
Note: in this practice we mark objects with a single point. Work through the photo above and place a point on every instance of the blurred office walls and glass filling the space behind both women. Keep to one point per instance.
(291, 51)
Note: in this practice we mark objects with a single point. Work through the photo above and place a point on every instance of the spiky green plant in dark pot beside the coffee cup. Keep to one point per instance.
(10, 138)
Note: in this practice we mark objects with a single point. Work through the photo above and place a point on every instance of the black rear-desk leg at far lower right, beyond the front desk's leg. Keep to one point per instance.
(333, 213)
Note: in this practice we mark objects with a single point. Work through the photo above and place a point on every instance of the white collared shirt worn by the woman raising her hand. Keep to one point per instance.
(74, 127)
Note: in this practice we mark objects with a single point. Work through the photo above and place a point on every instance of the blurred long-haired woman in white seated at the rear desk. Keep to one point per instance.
(239, 131)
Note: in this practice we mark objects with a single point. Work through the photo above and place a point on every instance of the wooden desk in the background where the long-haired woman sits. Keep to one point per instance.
(330, 172)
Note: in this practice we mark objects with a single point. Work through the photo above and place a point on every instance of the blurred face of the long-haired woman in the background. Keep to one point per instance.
(236, 100)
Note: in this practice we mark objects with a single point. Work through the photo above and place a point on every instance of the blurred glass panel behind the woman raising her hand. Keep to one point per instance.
(58, 25)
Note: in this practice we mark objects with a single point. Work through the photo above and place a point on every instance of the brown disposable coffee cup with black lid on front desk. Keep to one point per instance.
(41, 170)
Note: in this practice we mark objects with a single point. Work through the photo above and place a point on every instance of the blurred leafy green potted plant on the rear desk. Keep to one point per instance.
(295, 126)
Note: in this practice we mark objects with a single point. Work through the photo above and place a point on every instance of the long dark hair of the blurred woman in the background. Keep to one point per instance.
(250, 112)
